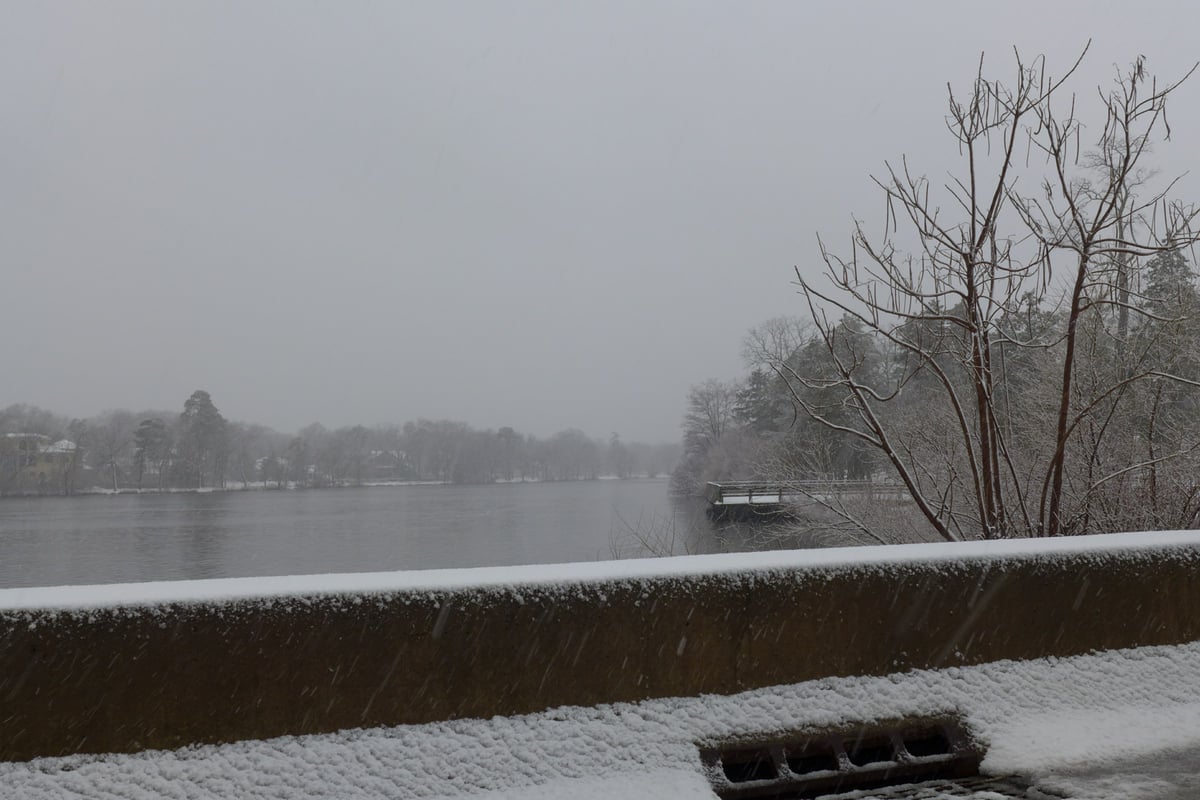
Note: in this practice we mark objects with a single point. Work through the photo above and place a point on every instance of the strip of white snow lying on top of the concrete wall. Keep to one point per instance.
(591, 573)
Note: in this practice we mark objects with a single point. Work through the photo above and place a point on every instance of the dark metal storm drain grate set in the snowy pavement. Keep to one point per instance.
(879, 756)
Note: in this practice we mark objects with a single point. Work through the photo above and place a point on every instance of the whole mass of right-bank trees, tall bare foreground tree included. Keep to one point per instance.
(1017, 345)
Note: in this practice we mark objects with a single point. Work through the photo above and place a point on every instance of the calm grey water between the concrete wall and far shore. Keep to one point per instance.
(130, 538)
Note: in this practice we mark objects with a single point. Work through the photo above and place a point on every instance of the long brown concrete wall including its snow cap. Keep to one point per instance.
(151, 666)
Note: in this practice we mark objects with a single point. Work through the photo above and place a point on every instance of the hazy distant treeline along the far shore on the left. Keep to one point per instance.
(43, 453)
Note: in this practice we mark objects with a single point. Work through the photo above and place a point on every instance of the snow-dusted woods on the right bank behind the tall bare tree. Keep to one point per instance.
(850, 399)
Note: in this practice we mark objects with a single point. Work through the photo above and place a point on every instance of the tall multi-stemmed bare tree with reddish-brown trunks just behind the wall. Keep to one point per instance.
(1027, 230)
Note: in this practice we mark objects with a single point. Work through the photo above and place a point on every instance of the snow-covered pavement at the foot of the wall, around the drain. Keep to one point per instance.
(1114, 725)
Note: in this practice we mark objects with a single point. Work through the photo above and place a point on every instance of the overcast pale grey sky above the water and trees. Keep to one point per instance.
(530, 214)
